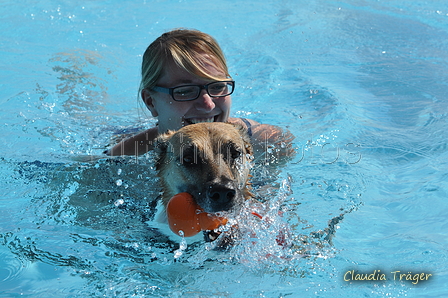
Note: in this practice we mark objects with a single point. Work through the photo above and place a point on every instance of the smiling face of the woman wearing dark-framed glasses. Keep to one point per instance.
(173, 115)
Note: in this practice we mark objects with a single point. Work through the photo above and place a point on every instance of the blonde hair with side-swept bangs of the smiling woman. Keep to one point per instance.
(191, 50)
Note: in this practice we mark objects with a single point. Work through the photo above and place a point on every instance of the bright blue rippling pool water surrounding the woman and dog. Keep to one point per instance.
(361, 84)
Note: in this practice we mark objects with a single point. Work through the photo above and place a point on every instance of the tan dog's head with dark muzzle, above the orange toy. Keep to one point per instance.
(211, 161)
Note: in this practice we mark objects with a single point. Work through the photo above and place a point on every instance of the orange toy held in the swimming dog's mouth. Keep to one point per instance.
(185, 215)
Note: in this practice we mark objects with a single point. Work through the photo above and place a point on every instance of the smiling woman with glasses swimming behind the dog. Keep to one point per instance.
(185, 80)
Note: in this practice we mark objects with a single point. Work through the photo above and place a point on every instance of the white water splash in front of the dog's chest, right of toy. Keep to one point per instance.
(257, 237)
